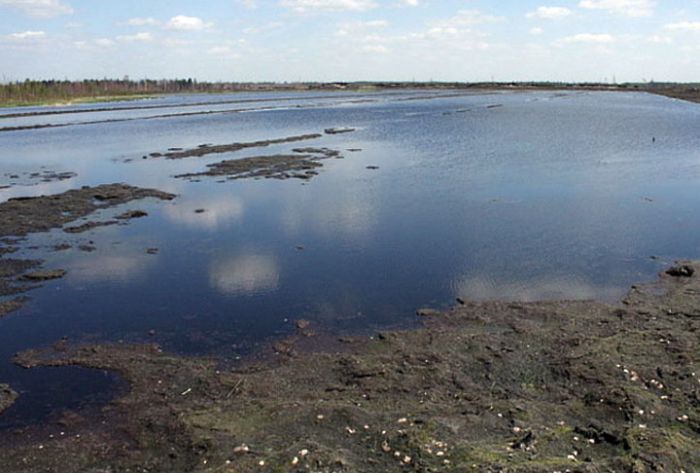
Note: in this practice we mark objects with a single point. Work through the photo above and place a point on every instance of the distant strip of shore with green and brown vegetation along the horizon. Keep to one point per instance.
(50, 92)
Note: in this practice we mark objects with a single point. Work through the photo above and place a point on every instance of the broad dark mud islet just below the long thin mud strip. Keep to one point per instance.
(279, 166)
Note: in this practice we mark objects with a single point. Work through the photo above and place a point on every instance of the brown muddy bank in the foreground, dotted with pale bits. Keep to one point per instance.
(494, 386)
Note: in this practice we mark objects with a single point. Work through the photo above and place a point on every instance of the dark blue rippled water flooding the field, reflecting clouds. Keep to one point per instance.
(510, 196)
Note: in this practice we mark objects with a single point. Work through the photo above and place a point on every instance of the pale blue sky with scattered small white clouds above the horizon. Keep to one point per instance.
(352, 40)
